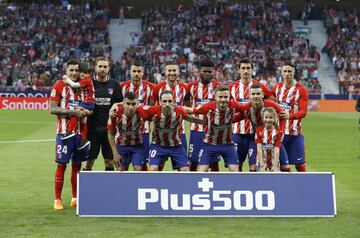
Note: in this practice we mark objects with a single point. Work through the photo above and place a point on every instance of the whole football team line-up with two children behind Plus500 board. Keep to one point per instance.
(234, 122)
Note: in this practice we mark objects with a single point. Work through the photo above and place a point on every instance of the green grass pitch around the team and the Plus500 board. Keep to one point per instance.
(26, 188)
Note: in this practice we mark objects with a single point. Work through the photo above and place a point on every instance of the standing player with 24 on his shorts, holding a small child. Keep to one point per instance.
(64, 104)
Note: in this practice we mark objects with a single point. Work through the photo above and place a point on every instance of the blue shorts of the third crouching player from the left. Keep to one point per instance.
(209, 154)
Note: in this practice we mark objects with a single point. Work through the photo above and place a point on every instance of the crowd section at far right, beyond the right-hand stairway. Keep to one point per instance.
(343, 47)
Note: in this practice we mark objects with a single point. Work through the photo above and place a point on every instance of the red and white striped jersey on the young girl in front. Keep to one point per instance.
(269, 139)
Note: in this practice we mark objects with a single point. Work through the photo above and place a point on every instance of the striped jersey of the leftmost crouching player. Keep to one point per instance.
(129, 130)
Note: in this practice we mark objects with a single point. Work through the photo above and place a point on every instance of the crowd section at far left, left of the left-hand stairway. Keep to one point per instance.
(36, 40)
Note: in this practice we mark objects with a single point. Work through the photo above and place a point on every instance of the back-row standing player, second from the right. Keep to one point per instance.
(239, 90)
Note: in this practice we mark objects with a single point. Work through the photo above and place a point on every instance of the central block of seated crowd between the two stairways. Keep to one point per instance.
(226, 32)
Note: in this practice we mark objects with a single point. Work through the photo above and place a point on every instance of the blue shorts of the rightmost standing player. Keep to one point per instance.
(295, 149)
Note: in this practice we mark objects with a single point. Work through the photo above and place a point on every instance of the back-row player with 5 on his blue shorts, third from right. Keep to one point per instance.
(201, 92)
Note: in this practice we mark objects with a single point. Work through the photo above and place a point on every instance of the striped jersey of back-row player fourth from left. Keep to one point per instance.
(179, 94)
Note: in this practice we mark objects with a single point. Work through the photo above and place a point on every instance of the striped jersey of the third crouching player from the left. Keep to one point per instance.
(218, 130)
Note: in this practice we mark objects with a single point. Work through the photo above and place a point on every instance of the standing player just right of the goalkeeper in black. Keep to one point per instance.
(142, 90)
